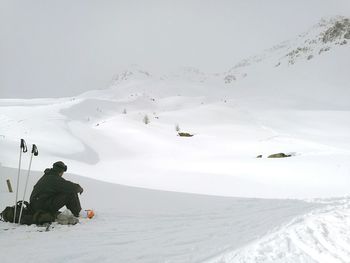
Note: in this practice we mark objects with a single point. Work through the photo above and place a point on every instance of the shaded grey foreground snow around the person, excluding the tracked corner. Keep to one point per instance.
(144, 226)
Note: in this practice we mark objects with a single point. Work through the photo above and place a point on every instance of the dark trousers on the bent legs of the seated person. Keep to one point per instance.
(55, 203)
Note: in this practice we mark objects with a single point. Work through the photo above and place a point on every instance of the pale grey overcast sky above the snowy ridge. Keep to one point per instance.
(62, 48)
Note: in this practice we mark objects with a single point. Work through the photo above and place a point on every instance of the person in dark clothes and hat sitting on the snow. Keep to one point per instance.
(52, 192)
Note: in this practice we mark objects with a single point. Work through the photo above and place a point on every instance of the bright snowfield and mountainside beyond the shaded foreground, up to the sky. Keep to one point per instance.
(292, 99)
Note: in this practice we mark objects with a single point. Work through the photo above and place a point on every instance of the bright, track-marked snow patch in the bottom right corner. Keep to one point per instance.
(320, 236)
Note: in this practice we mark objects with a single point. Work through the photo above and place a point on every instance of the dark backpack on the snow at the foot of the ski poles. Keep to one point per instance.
(27, 214)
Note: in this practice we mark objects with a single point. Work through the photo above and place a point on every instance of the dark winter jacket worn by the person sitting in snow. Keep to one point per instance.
(50, 185)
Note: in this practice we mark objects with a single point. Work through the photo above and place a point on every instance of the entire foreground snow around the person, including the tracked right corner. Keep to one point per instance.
(140, 225)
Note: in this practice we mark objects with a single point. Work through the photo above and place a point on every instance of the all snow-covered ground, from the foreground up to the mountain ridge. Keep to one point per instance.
(293, 98)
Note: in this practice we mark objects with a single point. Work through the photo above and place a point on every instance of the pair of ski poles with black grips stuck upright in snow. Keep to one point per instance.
(23, 149)
